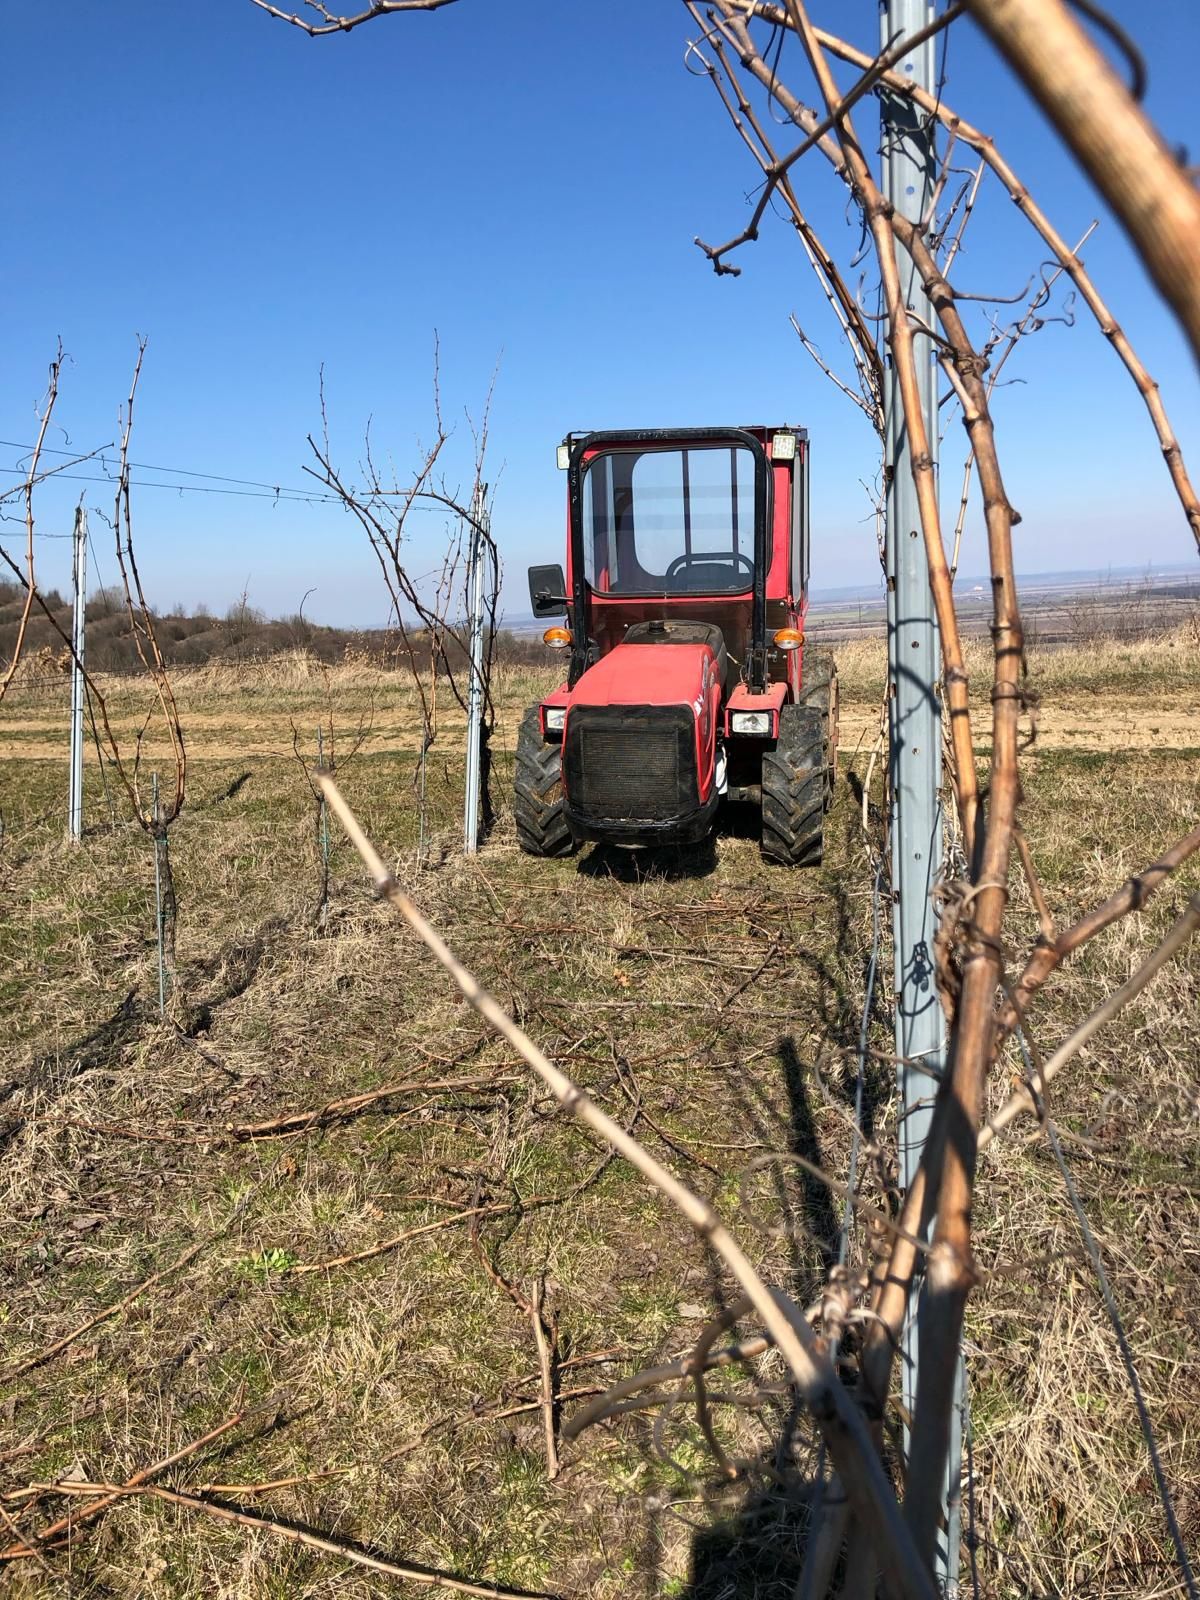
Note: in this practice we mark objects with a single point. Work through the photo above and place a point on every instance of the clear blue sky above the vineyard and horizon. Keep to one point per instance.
(527, 180)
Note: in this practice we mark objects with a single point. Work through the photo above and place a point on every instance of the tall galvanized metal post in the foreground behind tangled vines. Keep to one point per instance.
(914, 708)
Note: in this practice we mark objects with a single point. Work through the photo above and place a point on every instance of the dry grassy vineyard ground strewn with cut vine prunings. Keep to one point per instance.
(703, 998)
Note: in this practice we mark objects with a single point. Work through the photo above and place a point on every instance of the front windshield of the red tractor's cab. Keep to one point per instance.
(670, 522)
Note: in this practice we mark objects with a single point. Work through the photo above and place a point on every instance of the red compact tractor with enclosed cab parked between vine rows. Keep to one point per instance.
(689, 682)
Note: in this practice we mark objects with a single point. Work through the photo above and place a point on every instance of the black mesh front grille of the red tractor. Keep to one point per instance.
(631, 764)
